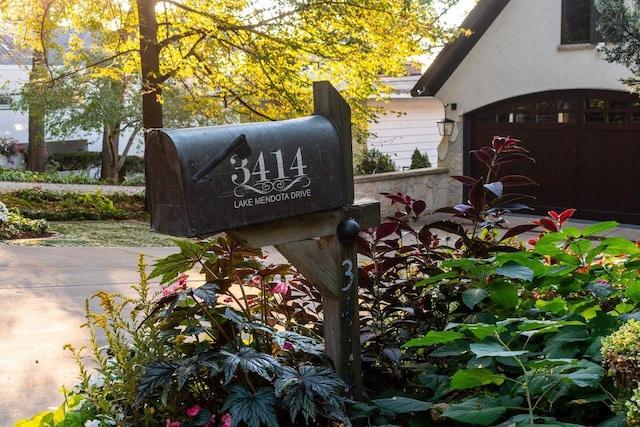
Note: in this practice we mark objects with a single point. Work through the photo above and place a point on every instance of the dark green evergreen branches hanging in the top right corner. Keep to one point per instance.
(619, 23)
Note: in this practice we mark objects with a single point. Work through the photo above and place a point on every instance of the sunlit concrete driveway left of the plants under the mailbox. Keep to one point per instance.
(42, 294)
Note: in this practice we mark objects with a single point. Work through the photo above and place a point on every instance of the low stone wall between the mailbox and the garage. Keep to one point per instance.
(433, 185)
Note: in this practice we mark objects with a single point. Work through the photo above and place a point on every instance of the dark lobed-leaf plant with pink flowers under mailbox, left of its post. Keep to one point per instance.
(232, 357)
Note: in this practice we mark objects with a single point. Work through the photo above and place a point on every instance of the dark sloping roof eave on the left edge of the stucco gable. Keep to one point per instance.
(478, 21)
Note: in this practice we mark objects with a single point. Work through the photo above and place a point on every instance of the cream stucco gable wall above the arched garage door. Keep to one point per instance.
(520, 53)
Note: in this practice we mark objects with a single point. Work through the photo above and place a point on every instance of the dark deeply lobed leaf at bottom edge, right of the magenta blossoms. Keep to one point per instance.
(254, 408)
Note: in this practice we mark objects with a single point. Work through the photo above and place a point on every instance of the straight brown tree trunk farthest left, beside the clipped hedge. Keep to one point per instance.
(36, 151)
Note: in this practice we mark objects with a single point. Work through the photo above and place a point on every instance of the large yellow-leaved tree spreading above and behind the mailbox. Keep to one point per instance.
(212, 62)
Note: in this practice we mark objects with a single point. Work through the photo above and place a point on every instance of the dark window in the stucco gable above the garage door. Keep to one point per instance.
(579, 19)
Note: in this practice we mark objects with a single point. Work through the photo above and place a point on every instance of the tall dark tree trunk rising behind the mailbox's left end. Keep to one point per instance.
(150, 65)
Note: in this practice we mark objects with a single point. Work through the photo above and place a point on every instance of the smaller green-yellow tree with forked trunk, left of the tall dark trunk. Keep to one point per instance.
(101, 76)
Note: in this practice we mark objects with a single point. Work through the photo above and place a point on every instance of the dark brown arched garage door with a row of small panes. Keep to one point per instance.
(586, 144)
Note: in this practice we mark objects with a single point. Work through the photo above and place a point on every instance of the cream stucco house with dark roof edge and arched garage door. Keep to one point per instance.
(535, 70)
